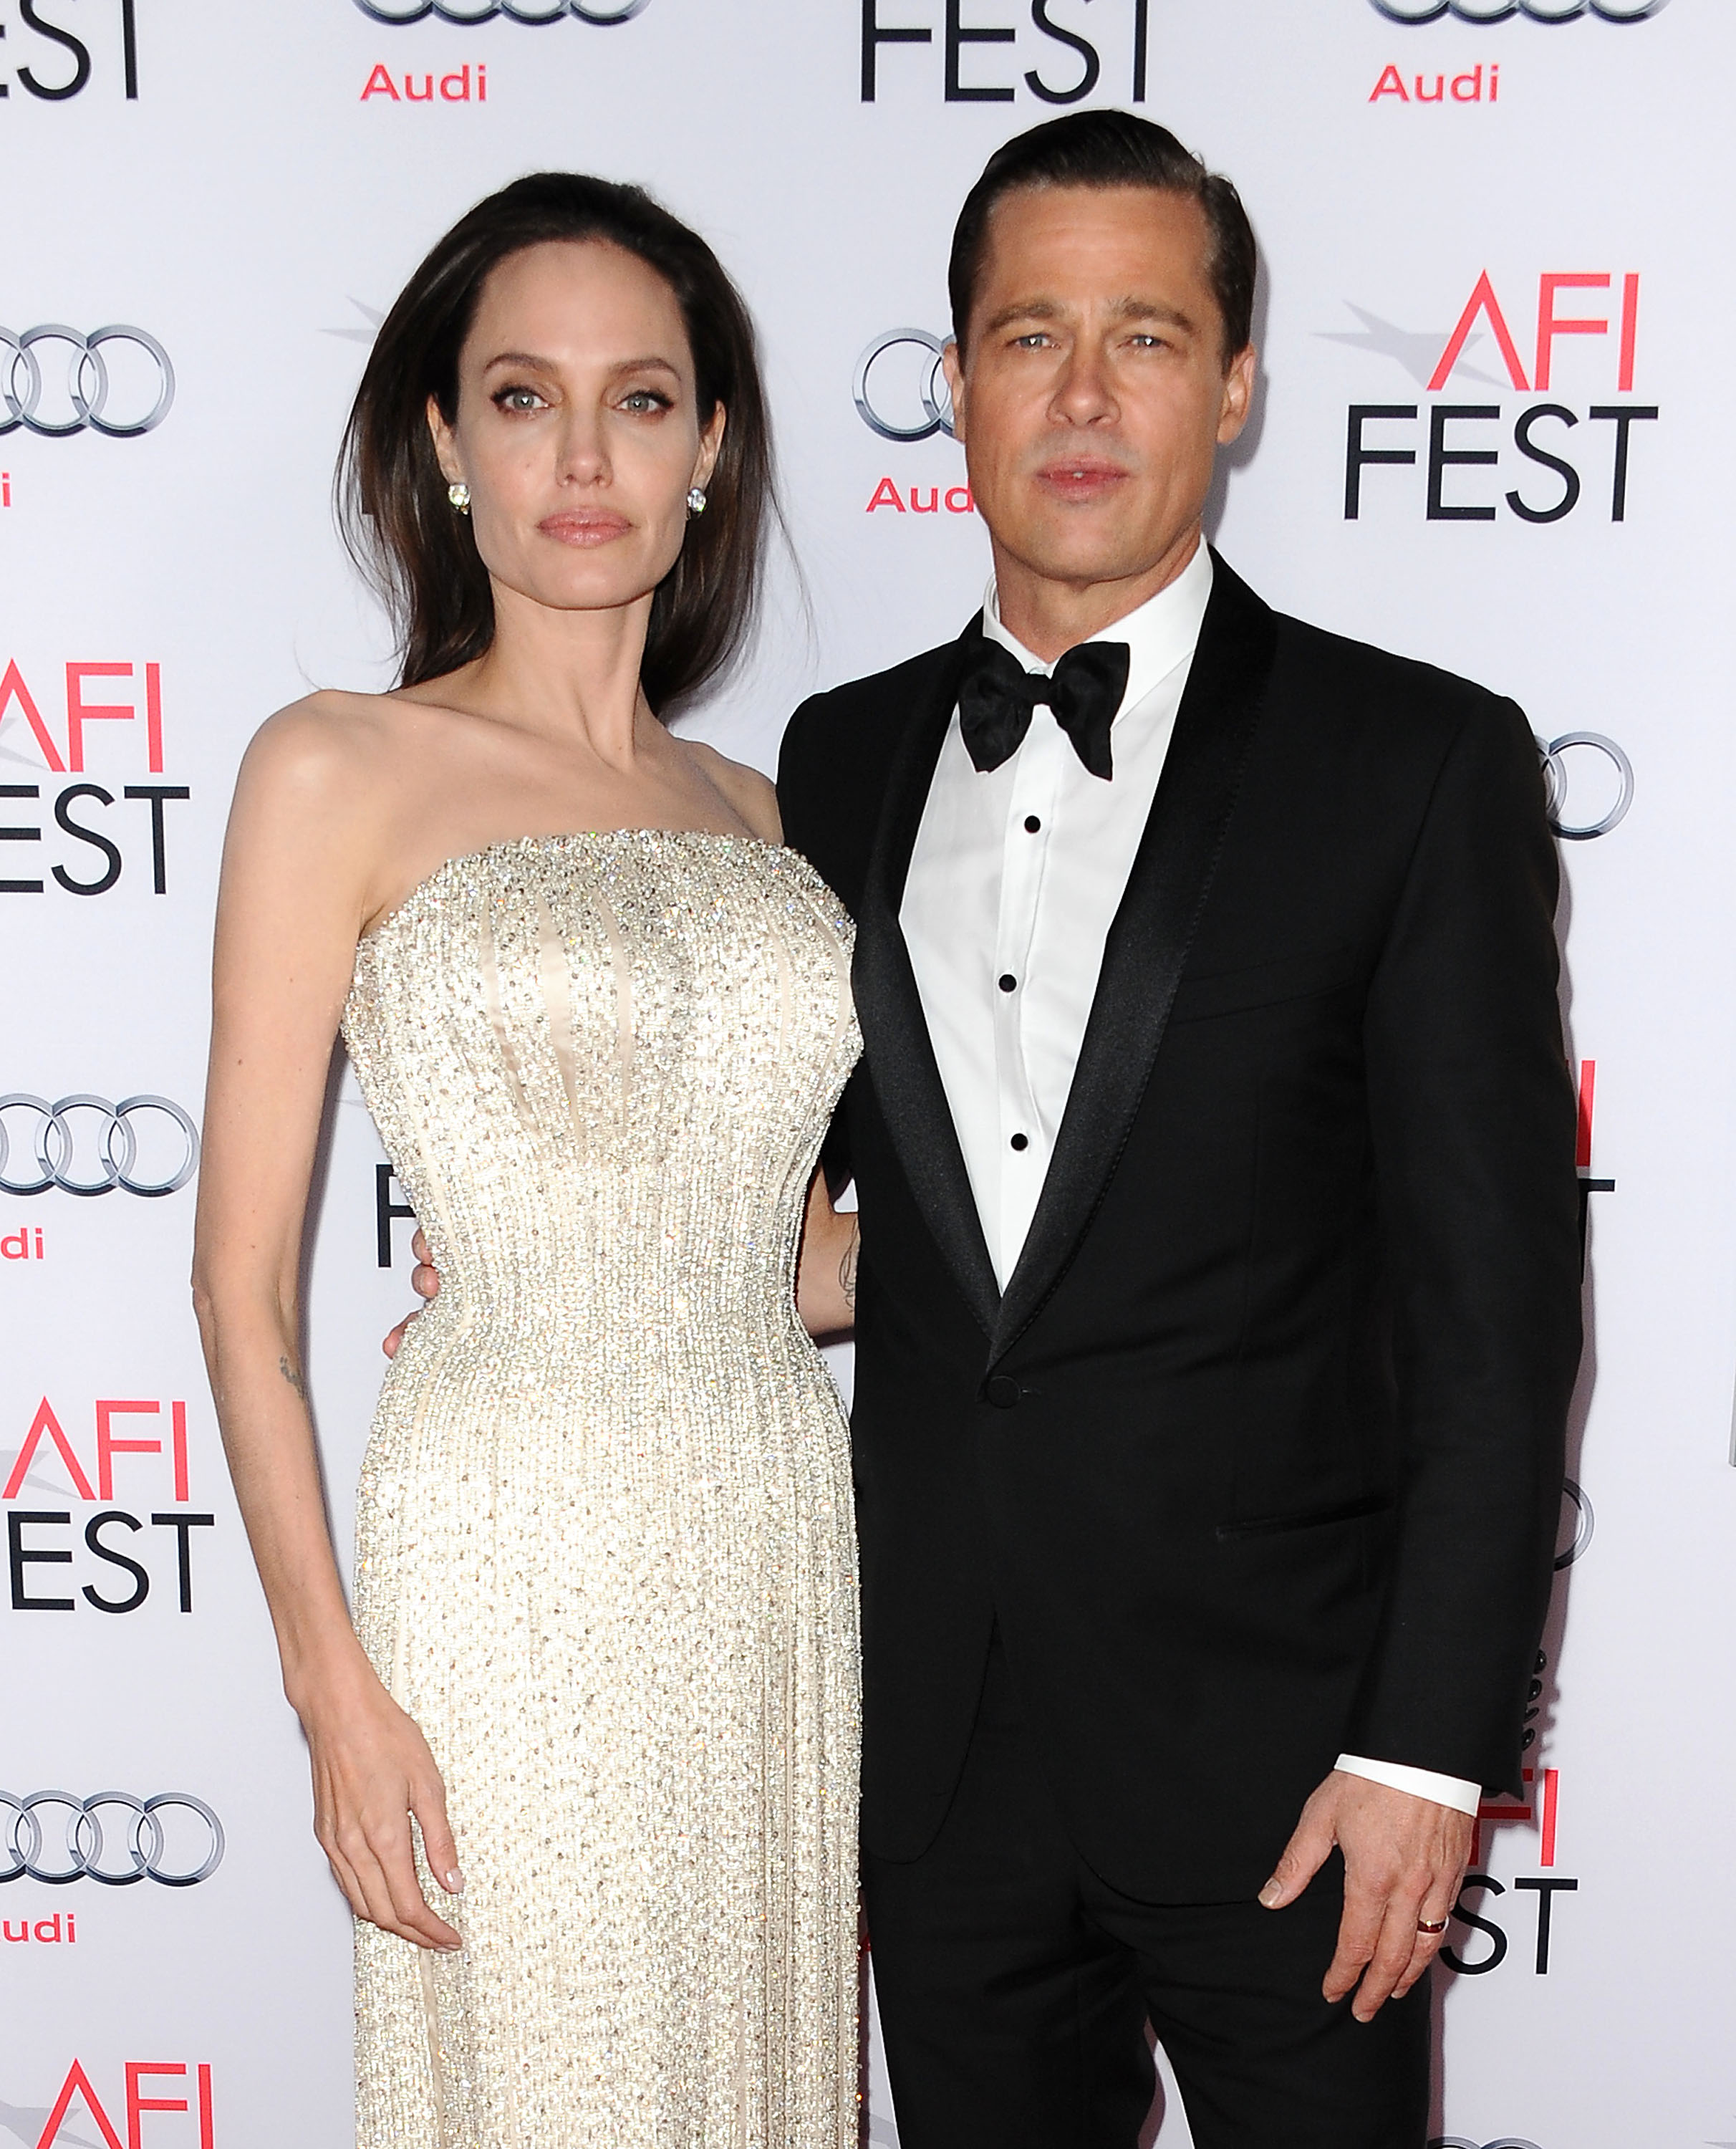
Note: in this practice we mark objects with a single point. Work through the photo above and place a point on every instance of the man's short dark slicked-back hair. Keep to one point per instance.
(1112, 149)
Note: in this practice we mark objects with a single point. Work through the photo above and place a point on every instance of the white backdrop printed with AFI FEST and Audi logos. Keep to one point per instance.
(1494, 431)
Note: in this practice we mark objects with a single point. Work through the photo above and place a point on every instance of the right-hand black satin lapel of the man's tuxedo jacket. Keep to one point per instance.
(1151, 938)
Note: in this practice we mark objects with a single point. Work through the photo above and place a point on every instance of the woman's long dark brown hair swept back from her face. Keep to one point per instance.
(392, 497)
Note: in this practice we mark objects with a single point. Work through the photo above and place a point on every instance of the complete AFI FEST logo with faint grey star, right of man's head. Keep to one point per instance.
(1557, 455)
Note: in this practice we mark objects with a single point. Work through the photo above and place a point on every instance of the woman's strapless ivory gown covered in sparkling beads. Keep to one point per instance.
(605, 1551)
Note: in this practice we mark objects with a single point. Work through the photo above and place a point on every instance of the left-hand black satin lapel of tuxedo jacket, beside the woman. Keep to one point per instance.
(897, 1048)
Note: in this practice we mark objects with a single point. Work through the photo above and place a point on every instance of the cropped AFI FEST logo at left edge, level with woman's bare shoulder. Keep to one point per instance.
(78, 820)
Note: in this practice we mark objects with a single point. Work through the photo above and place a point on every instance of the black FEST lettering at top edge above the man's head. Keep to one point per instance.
(949, 55)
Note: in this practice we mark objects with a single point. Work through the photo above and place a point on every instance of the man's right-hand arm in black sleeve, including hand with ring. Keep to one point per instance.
(1473, 1134)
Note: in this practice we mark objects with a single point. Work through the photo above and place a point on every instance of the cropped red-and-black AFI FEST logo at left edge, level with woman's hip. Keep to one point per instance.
(121, 1553)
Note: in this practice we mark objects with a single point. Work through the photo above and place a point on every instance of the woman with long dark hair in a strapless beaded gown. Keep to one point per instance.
(605, 1621)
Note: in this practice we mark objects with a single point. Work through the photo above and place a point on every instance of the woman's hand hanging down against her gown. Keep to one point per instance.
(373, 1772)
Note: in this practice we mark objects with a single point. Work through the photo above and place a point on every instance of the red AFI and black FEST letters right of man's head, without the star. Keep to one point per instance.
(1554, 465)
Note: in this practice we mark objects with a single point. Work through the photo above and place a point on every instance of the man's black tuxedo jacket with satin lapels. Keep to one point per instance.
(1260, 1454)
